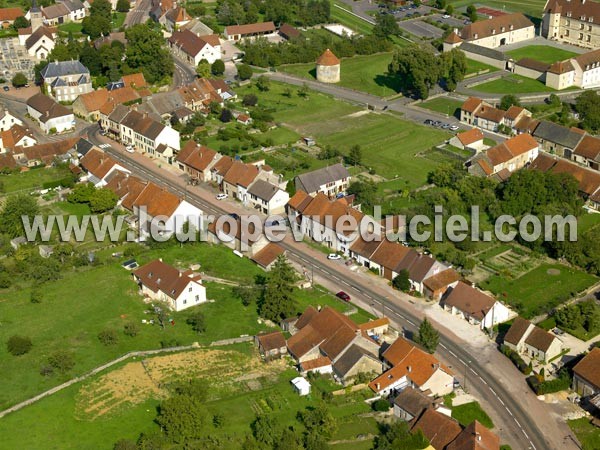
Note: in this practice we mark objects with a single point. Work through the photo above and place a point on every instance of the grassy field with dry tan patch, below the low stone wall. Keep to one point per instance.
(99, 411)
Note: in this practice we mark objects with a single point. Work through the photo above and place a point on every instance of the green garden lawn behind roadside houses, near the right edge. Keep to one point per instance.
(538, 290)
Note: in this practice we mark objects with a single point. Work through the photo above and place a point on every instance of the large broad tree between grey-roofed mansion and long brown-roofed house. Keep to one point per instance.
(146, 51)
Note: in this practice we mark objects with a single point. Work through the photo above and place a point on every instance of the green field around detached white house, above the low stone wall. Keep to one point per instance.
(83, 303)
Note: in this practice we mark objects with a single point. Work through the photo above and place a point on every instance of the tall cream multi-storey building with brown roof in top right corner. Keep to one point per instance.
(574, 22)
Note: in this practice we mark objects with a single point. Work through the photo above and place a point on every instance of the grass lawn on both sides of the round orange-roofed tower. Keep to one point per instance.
(362, 73)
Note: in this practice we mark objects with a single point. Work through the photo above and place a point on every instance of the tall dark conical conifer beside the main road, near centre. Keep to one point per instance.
(277, 301)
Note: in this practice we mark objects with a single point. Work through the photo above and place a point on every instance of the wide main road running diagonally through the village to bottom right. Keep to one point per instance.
(524, 422)
